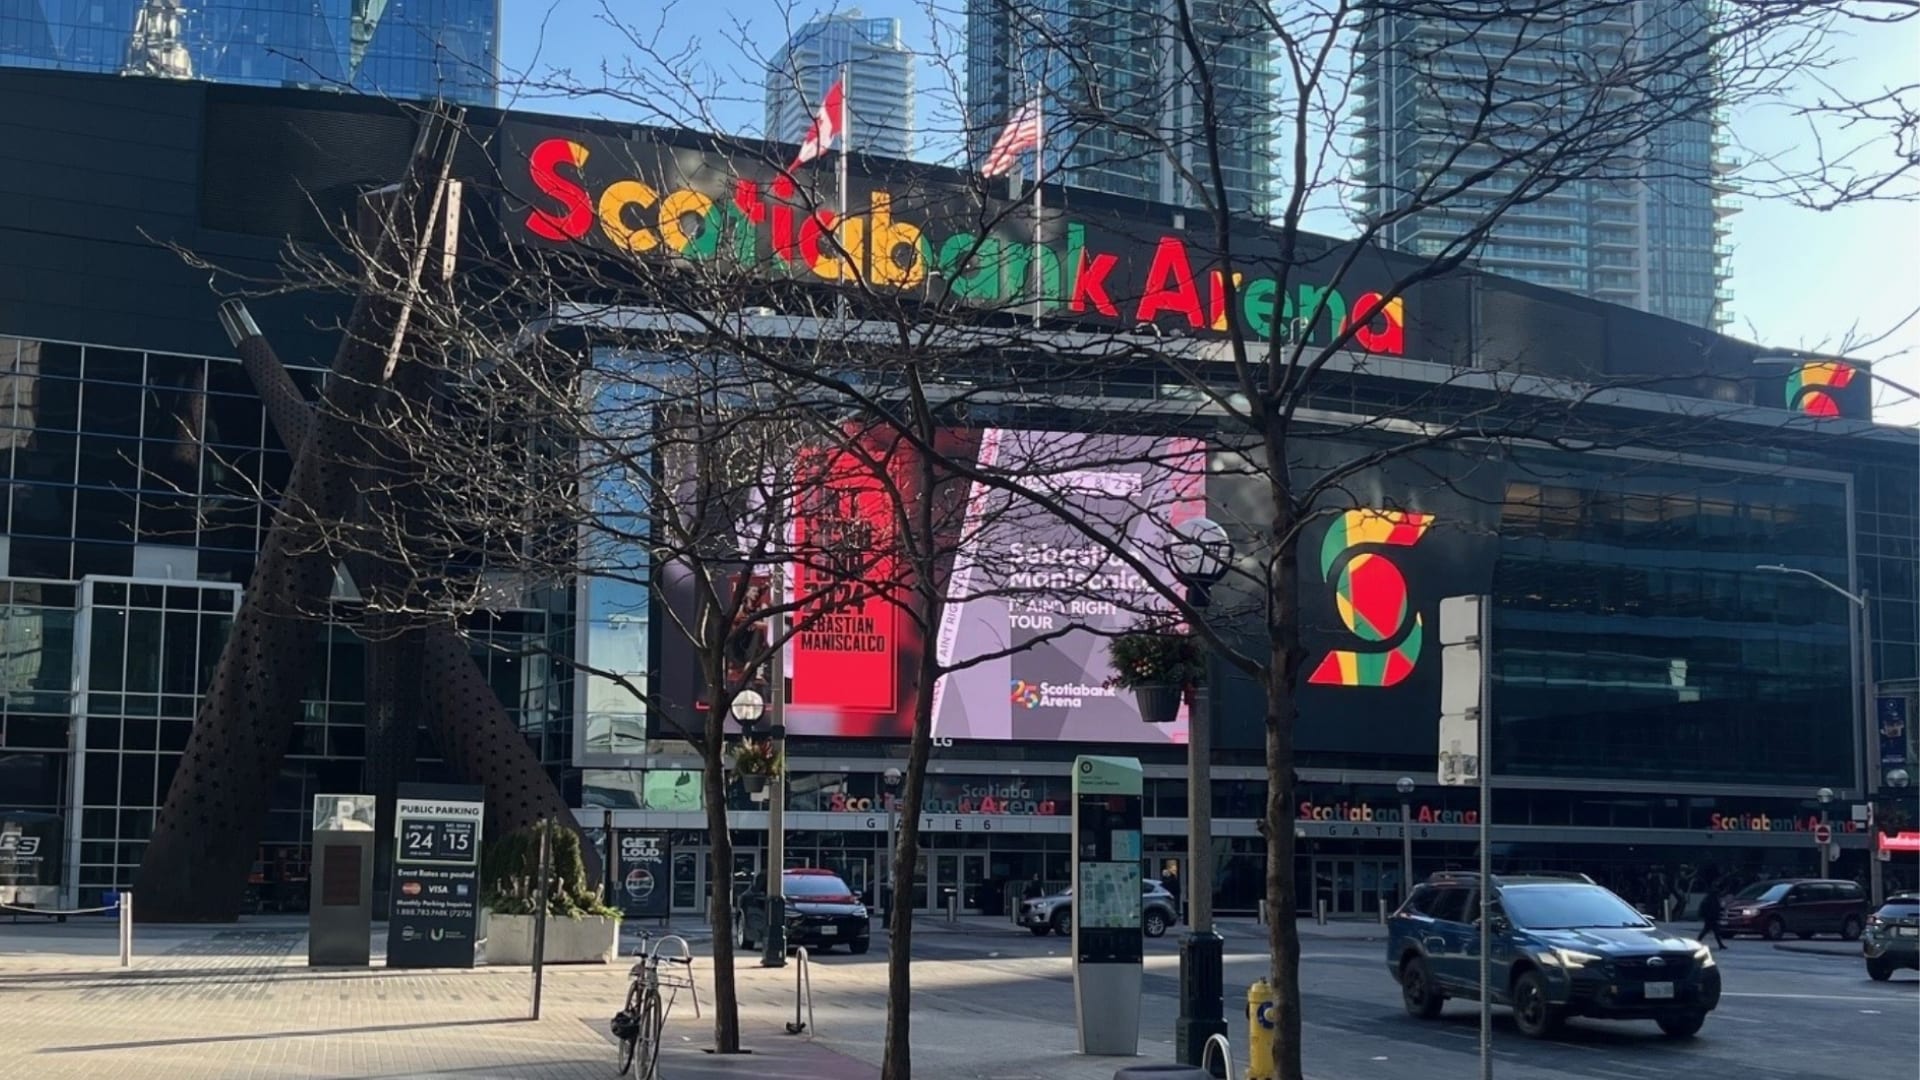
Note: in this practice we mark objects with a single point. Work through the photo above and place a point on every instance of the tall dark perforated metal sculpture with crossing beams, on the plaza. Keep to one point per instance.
(206, 833)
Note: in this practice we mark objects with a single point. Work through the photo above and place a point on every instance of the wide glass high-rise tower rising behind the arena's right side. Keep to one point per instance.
(1650, 235)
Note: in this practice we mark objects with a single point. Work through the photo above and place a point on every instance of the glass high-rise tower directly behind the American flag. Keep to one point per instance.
(1115, 70)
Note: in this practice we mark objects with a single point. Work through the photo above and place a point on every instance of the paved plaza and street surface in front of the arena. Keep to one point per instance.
(992, 1004)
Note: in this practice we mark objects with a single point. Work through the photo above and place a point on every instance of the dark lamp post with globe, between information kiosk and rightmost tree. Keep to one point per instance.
(1199, 558)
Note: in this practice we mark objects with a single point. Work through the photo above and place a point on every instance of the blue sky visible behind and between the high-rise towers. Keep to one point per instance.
(1802, 280)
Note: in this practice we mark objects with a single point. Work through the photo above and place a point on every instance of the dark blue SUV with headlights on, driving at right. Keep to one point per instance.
(1562, 948)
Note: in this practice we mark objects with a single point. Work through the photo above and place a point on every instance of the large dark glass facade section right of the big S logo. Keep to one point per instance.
(1637, 639)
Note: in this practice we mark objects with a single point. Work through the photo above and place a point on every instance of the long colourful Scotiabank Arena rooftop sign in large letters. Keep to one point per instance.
(917, 235)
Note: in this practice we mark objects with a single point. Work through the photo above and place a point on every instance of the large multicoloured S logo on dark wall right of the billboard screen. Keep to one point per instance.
(1372, 597)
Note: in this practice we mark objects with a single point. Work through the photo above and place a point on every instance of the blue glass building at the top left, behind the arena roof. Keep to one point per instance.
(396, 49)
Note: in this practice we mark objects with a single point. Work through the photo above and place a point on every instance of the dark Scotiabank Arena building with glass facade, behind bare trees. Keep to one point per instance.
(1664, 710)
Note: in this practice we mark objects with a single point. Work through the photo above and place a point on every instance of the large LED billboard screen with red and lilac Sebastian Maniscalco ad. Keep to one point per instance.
(1032, 599)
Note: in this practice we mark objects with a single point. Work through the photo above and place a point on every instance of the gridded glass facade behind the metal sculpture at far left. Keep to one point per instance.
(137, 493)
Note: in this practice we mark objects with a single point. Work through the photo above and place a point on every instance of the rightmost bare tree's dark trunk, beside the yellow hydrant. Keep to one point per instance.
(1284, 933)
